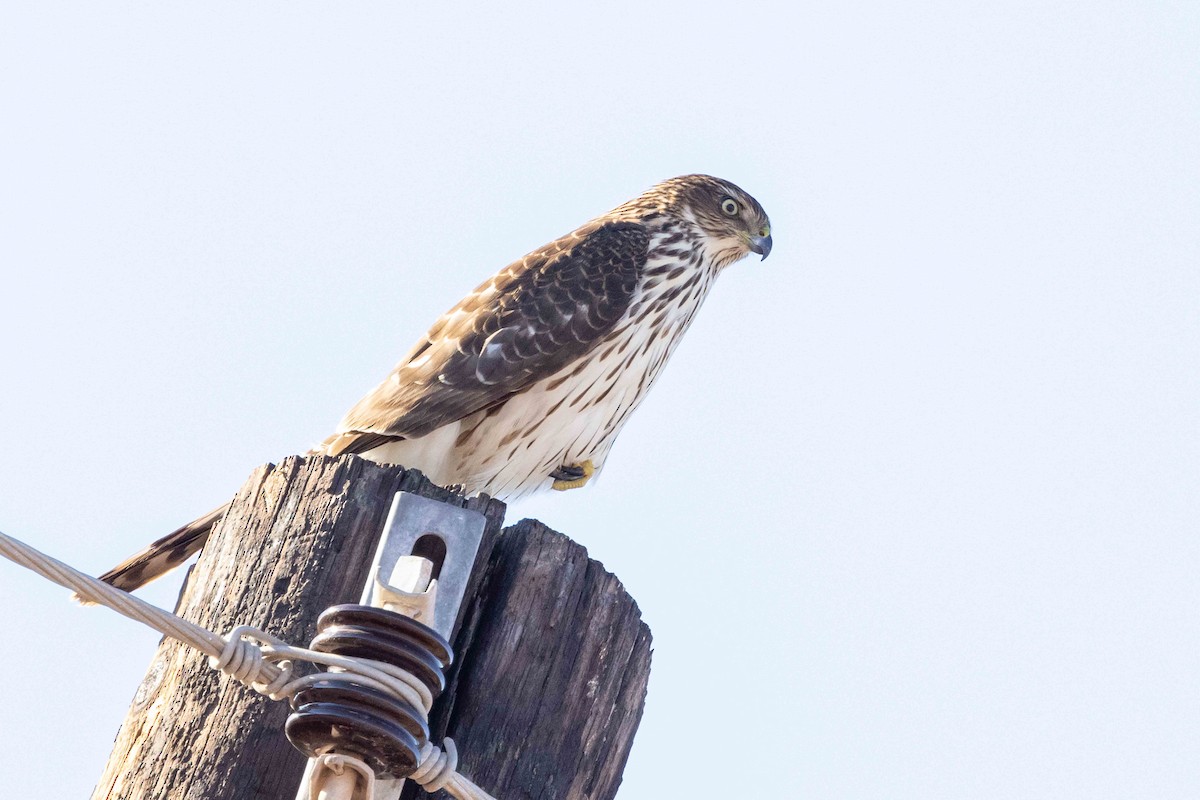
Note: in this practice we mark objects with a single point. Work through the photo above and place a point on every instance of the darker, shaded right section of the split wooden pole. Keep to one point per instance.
(550, 681)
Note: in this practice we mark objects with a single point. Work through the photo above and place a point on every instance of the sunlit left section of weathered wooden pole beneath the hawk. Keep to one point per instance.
(298, 539)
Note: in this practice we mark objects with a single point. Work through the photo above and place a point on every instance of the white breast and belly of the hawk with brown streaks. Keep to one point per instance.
(567, 423)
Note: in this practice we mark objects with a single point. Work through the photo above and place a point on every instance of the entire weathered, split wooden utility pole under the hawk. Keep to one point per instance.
(548, 687)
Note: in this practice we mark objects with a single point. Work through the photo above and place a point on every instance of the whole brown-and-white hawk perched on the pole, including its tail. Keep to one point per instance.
(526, 383)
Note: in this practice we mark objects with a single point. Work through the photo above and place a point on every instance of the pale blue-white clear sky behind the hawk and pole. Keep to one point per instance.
(922, 488)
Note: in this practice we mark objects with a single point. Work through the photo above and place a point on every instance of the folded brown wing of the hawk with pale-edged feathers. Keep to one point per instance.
(536, 317)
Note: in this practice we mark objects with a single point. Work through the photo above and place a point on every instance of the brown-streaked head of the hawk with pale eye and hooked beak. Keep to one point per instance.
(731, 222)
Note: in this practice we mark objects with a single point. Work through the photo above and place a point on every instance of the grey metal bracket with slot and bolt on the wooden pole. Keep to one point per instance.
(425, 538)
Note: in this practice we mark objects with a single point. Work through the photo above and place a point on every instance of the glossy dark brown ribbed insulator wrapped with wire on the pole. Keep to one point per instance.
(338, 714)
